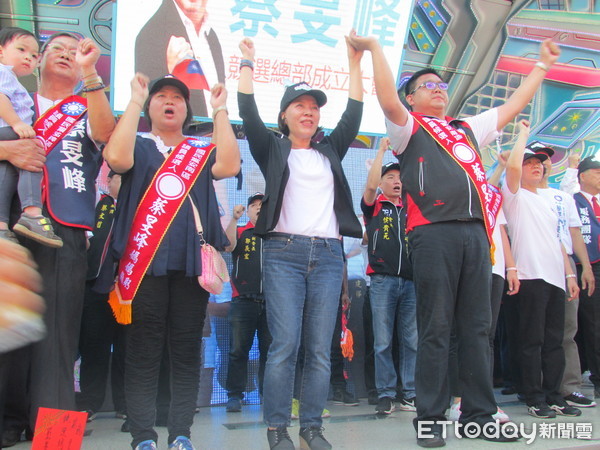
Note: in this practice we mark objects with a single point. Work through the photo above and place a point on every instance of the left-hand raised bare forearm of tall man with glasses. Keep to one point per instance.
(385, 85)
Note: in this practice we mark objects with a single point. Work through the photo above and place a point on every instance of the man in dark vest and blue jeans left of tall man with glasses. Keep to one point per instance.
(392, 293)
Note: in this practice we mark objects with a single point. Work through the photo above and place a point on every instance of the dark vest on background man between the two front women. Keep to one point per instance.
(247, 262)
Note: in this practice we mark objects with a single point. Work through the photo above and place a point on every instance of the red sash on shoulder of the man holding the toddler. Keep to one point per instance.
(56, 123)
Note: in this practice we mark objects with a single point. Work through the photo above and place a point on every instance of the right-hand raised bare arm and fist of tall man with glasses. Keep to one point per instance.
(549, 53)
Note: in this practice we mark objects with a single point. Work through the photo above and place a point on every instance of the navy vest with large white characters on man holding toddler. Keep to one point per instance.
(70, 181)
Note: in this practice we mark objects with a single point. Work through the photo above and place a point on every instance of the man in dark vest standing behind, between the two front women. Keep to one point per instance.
(247, 313)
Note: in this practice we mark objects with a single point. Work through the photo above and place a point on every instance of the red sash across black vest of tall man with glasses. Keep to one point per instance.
(462, 151)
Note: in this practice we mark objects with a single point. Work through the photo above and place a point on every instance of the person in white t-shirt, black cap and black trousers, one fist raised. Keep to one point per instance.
(542, 262)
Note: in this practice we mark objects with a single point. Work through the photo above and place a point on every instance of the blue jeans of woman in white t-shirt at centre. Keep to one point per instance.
(302, 280)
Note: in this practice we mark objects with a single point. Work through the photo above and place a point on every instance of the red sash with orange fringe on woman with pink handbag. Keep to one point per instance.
(164, 196)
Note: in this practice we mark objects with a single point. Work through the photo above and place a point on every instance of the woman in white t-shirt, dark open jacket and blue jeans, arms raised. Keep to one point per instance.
(307, 205)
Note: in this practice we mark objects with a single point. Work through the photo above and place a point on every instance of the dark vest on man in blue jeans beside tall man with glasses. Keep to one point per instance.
(387, 248)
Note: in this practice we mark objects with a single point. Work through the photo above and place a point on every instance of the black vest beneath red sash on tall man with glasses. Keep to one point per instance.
(434, 187)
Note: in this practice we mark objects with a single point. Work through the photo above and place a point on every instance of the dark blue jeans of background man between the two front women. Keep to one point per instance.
(247, 316)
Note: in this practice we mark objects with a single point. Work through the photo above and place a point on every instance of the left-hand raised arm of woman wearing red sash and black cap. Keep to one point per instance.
(118, 152)
